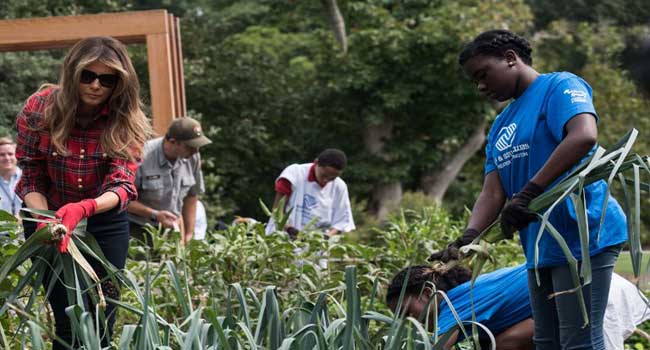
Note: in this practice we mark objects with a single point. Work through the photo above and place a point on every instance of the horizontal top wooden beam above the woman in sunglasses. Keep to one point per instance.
(63, 31)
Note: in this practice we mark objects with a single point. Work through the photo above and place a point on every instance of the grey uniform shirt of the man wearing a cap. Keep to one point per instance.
(163, 185)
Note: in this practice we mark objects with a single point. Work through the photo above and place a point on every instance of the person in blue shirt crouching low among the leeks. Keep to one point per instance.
(500, 301)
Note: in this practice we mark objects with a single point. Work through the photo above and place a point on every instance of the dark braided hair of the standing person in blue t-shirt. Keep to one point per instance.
(495, 43)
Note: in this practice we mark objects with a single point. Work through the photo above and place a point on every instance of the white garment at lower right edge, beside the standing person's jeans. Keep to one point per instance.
(626, 309)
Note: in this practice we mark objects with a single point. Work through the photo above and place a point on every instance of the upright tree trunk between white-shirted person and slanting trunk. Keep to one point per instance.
(385, 196)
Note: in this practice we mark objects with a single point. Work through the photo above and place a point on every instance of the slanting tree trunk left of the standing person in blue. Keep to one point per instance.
(436, 182)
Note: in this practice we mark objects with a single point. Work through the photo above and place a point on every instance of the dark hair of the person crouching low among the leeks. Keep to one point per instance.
(420, 275)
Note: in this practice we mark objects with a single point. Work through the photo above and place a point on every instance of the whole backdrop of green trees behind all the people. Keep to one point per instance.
(272, 85)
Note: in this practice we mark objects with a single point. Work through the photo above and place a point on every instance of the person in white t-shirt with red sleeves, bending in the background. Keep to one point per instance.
(315, 192)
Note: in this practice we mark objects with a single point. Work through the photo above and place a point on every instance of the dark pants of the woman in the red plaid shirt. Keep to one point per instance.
(111, 230)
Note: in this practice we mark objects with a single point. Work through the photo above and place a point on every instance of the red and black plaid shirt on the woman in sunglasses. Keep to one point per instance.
(85, 172)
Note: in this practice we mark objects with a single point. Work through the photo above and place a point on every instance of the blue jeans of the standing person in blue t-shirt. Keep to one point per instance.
(558, 321)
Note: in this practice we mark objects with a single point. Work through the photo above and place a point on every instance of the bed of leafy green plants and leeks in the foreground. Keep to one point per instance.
(245, 287)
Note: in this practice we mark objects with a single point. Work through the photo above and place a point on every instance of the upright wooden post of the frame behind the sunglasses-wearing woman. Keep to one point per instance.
(160, 79)
